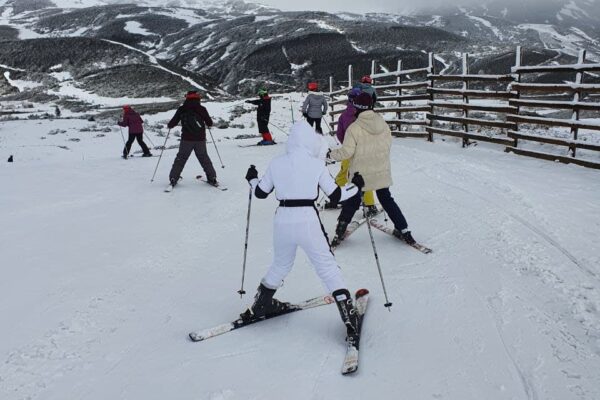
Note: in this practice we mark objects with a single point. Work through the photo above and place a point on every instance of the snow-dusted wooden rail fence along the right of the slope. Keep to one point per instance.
(491, 108)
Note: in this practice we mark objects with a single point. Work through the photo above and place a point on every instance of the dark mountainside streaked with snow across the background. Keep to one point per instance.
(233, 46)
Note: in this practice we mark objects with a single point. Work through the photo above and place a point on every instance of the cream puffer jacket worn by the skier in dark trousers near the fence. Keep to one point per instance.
(367, 145)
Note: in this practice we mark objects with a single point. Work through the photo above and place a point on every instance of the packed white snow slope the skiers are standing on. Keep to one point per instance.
(104, 275)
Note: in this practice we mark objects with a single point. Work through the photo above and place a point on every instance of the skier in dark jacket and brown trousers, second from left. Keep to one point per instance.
(194, 119)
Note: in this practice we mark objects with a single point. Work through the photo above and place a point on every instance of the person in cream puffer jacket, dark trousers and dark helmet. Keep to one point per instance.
(367, 145)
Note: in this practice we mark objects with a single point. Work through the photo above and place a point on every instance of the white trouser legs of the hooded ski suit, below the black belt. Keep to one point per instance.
(301, 226)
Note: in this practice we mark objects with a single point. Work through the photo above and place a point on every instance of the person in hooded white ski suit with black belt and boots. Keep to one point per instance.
(296, 178)
